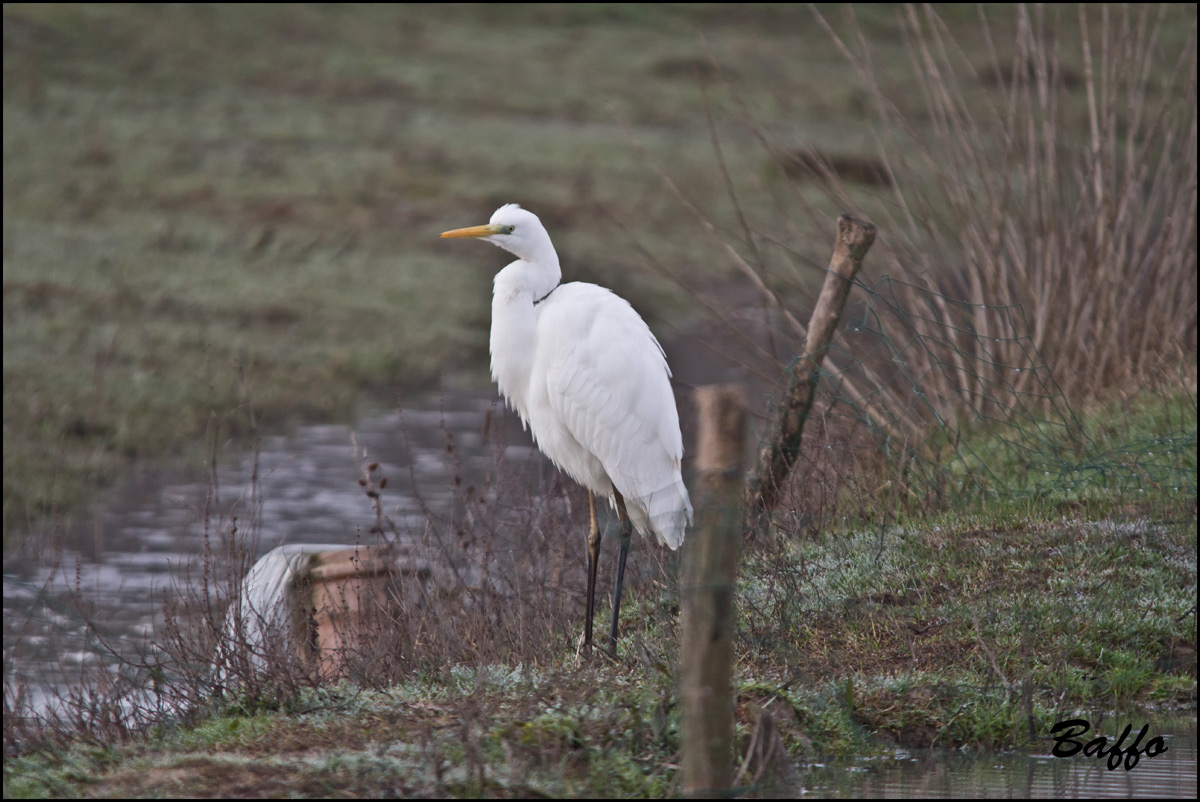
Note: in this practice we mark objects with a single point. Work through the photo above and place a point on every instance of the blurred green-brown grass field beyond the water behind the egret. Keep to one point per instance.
(211, 205)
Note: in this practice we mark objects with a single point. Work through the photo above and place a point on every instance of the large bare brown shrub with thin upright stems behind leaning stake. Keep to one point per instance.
(1036, 201)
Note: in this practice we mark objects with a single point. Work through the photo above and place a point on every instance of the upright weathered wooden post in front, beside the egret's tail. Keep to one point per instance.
(711, 564)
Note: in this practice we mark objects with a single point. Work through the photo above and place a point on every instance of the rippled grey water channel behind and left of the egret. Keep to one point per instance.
(149, 536)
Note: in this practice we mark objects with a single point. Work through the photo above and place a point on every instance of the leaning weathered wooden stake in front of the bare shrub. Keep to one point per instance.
(778, 457)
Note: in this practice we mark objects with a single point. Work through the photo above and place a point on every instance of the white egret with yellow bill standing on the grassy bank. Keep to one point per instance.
(592, 385)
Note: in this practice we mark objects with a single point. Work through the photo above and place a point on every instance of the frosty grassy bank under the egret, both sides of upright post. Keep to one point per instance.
(974, 636)
